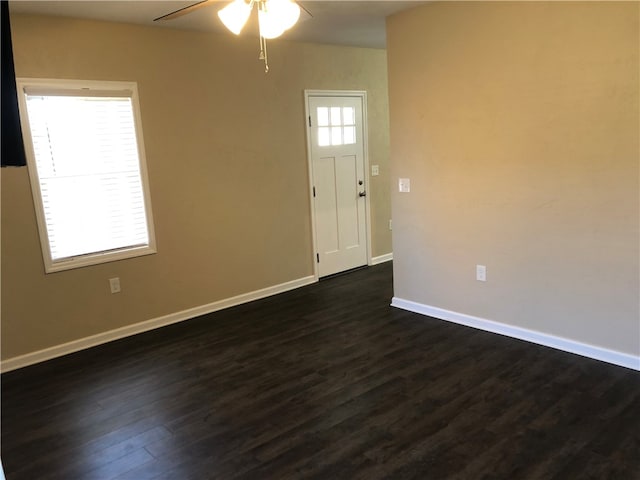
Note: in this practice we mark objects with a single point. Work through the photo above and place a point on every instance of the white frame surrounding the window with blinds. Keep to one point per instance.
(97, 86)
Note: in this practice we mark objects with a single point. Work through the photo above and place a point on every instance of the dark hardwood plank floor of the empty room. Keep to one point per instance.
(326, 382)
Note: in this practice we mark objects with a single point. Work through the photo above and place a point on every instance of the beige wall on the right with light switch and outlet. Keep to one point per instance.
(517, 124)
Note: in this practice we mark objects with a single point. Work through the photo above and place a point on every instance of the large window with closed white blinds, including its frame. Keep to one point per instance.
(87, 167)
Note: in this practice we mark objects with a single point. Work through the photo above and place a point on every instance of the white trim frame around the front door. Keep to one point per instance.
(362, 95)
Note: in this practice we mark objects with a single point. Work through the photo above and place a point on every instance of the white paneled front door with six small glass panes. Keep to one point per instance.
(339, 182)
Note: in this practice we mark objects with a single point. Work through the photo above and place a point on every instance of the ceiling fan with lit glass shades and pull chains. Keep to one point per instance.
(274, 17)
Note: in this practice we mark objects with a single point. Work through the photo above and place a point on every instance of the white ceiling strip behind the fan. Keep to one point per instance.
(354, 23)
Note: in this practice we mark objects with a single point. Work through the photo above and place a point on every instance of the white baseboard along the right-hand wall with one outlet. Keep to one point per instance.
(572, 346)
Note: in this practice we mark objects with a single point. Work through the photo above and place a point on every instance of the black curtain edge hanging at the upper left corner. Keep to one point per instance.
(12, 146)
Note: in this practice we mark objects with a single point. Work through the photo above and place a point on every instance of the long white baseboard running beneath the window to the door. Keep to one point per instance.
(100, 338)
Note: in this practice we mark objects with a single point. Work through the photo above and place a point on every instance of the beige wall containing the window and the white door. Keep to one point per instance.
(226, 154)
